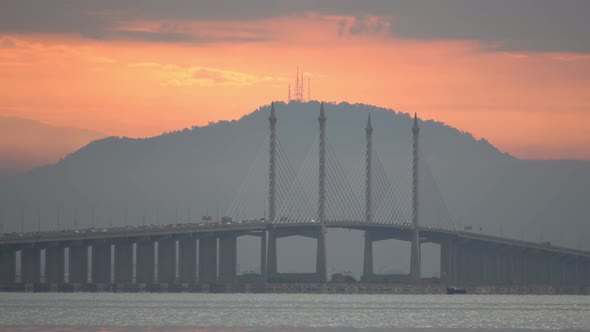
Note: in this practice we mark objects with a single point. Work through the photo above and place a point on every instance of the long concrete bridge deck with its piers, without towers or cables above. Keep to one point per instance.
(207, 254)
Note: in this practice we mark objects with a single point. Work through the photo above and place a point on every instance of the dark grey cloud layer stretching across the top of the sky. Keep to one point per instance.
(522, 25)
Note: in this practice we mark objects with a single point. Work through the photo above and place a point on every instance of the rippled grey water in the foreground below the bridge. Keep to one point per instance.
(294, 312)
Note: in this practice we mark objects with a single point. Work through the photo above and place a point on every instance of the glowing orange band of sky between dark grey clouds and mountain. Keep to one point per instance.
(529, 104)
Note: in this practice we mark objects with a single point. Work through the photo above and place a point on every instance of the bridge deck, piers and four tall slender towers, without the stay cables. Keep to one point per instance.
(206, 253)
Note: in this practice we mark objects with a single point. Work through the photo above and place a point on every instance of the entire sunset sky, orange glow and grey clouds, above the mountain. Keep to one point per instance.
(514, 72)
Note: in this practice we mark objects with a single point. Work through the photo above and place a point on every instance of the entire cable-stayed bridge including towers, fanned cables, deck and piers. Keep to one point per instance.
(303, 202)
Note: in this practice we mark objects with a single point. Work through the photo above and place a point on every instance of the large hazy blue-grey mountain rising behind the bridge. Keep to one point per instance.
(193, 172)
